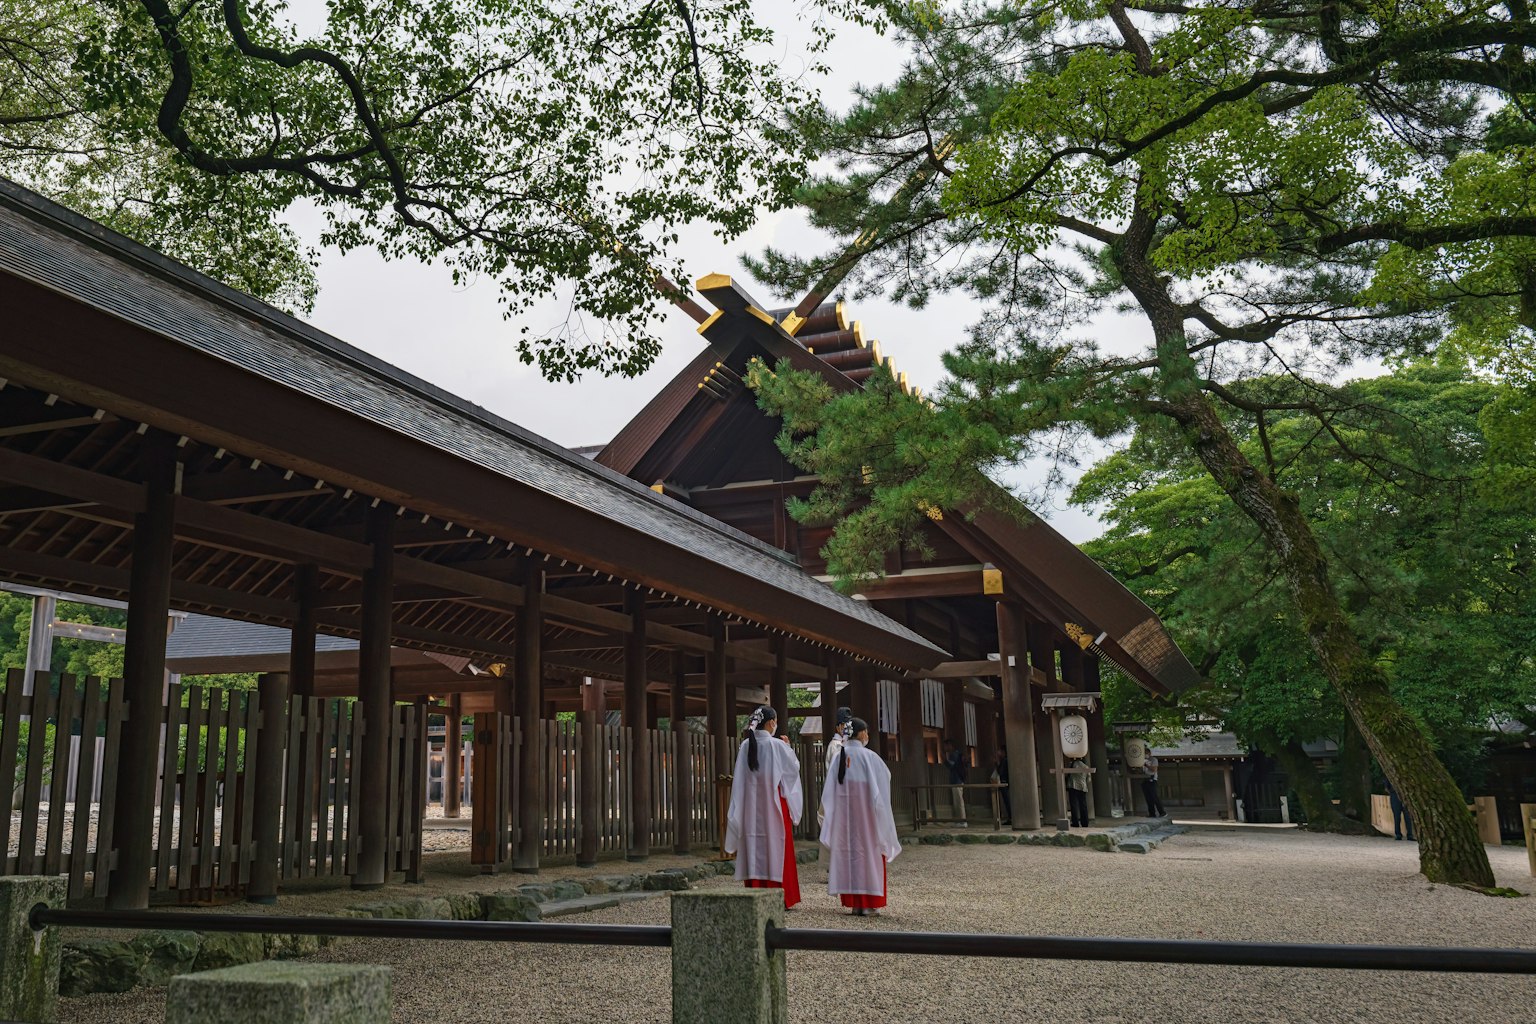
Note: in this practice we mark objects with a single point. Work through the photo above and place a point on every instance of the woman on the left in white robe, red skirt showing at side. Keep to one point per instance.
(766, 804)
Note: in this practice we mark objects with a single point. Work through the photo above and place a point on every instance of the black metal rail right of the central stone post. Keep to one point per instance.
(1162, 951)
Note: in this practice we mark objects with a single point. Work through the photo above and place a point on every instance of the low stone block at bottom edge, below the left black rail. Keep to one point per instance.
(280, 993)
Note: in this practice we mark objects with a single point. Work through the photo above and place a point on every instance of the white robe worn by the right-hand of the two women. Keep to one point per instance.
(859, 828)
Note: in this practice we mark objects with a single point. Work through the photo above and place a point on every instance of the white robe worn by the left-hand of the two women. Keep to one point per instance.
(755, 825)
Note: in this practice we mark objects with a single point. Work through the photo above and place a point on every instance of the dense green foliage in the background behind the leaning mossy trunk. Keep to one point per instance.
(1434, 573)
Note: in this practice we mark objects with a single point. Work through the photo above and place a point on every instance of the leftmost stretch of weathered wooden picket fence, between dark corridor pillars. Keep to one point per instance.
(59, 765)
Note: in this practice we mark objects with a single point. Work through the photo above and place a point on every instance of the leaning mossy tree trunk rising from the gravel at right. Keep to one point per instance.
(1449, 845)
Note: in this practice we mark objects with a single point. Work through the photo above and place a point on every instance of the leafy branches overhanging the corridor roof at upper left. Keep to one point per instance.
(549, 147)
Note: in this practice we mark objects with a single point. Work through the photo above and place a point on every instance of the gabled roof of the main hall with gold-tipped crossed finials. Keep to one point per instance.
(1054, 576)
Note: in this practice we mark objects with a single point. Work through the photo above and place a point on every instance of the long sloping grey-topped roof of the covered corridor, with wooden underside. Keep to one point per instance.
(288, 435)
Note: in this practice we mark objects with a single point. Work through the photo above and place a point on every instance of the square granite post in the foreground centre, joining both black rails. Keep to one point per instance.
(723, 969)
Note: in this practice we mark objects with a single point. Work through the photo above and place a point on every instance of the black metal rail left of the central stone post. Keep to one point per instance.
(362, 928)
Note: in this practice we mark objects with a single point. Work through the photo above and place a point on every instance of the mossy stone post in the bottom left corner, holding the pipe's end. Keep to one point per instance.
(30, 960)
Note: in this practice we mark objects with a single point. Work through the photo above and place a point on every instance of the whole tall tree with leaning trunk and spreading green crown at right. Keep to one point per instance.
(1239, 176)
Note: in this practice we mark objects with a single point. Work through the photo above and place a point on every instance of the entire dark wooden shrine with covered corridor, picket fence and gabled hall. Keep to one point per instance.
(392, 560)
